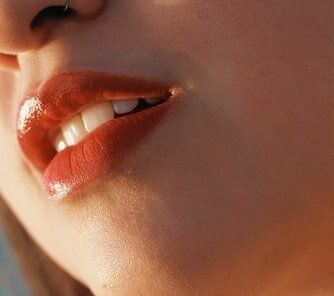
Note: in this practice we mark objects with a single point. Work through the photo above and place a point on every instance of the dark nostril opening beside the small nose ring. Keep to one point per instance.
(50, 14)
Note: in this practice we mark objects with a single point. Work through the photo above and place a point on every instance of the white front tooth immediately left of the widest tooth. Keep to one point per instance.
(74, 131)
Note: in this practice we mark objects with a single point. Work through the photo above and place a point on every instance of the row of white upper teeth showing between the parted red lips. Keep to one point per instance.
(75, 129)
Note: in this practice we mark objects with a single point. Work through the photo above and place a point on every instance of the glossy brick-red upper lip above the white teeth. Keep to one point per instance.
(62, 96)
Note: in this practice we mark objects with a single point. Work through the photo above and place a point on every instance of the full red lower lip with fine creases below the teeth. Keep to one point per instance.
(78, 166)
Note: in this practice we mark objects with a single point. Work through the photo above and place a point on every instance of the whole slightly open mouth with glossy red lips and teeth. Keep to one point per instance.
(78, 125)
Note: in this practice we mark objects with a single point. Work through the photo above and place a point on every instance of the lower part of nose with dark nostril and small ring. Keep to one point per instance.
(26, 24)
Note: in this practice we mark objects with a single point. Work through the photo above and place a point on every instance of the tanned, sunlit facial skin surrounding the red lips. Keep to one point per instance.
(233, 193)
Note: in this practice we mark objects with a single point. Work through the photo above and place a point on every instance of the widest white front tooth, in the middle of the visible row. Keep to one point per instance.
(96, 115)
